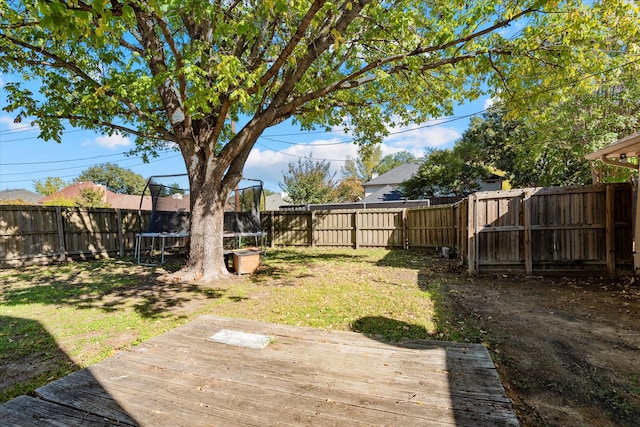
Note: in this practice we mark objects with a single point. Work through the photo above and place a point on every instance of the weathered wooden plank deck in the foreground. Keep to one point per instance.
(303, 376)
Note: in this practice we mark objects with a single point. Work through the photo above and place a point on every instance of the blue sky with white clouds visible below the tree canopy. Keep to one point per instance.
(25, 159)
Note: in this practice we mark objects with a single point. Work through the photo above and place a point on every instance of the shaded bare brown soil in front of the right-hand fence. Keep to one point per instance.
(568, 350)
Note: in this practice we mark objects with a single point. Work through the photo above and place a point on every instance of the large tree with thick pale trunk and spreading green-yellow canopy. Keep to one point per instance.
(178, 72)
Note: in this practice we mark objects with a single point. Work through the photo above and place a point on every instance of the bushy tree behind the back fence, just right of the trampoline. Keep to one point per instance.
(309, 182)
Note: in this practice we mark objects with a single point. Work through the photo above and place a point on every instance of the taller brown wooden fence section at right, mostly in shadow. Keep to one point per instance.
(552, 230)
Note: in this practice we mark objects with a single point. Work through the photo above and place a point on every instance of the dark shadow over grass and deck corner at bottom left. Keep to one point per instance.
(53, 403)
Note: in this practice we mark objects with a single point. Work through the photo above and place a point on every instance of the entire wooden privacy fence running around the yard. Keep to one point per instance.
(528, 231)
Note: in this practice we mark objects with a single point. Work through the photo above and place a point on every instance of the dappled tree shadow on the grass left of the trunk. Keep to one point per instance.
(106, 284)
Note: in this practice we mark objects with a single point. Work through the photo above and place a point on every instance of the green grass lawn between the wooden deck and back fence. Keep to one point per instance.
(58, 319)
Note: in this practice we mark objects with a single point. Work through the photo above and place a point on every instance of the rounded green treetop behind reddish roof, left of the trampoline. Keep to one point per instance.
(115, 178)
